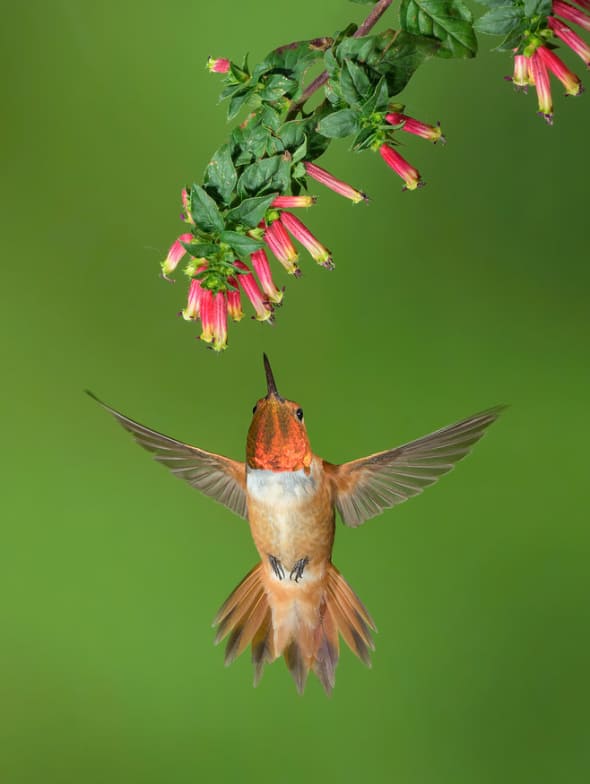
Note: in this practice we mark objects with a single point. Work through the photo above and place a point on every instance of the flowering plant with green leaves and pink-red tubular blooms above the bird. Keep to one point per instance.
(242, 215)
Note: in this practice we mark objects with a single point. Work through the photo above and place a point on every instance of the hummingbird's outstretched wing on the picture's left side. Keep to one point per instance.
(214, 475)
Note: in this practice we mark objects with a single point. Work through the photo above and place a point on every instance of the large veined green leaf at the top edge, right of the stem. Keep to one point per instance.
(450, 21)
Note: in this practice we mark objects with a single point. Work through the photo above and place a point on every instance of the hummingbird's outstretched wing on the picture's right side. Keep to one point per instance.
(365, 487)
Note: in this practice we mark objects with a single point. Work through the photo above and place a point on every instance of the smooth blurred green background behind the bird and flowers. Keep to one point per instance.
(470, 292)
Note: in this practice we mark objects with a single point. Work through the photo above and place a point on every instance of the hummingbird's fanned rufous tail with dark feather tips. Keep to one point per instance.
(292, 624)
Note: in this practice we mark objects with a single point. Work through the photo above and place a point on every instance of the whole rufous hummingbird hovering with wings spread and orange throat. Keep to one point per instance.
(295, 603)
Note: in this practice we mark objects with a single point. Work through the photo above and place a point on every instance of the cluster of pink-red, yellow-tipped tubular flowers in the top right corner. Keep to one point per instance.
(537, 60)
